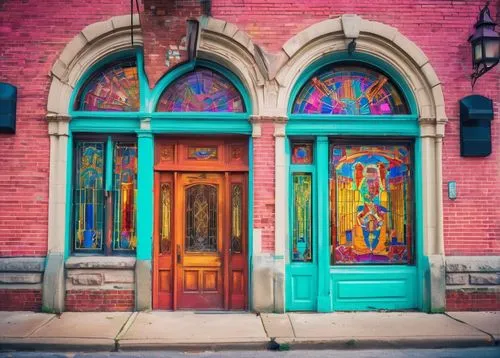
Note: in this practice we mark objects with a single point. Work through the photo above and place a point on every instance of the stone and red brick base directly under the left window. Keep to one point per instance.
(100, 284)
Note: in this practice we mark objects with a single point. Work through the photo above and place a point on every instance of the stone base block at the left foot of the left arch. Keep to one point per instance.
(53, 291)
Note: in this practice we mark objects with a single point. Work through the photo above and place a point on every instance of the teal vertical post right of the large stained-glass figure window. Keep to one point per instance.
(421, 260)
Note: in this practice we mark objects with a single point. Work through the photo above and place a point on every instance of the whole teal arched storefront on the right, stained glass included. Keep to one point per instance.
(355, 202)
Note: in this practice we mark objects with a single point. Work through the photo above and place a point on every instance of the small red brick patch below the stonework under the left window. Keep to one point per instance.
(99, 300)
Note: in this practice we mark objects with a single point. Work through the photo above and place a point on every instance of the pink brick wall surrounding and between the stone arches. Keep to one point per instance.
(33, 34)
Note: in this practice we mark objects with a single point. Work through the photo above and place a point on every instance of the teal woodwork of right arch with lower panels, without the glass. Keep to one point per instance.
(318, 284)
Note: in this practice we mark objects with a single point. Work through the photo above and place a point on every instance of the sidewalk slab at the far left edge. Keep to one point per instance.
(21, 324)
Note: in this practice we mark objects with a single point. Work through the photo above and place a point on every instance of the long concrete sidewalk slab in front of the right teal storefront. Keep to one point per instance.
(363, 329)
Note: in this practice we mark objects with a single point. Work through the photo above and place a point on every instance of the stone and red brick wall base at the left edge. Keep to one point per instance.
(21, 283)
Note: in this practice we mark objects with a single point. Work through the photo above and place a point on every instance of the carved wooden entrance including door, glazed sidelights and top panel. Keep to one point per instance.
(200, 231)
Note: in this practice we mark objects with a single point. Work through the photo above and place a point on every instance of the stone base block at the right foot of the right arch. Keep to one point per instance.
(437, 283)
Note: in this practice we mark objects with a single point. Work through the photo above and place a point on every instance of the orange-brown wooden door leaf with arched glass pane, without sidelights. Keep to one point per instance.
(199, 241)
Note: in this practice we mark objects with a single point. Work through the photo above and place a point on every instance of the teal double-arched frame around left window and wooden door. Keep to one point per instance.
(145, 124)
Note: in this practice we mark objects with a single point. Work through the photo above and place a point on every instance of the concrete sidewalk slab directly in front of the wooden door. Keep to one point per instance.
(169, 330)
